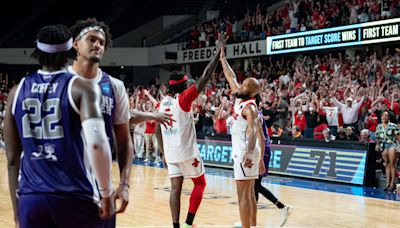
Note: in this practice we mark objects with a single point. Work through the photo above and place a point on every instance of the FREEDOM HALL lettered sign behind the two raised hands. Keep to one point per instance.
(240, 50)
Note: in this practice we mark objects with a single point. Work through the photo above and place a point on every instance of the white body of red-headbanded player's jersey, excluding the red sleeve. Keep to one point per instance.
(179, 140)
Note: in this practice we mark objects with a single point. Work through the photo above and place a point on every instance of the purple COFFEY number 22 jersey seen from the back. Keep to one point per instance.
(54, 159)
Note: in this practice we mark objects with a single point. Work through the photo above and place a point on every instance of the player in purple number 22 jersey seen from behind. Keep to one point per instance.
(59, 161)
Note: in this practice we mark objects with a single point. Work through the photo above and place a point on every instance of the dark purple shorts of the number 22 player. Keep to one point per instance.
(45, 210)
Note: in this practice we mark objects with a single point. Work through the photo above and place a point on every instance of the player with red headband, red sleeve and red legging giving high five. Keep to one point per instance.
(179, 144)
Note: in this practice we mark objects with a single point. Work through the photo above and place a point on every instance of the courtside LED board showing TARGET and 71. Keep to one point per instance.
(332, 164)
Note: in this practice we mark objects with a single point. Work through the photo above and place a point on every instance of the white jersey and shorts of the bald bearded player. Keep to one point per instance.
(240, 142)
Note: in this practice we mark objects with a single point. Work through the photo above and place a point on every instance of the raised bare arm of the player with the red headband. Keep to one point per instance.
(212, 65)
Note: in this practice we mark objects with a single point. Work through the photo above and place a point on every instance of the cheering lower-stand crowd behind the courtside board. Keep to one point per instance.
(326, 97)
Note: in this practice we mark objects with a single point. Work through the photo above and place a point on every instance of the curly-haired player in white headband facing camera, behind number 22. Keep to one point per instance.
(91, 40)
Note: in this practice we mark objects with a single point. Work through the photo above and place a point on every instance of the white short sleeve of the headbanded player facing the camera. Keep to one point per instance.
(121, 114)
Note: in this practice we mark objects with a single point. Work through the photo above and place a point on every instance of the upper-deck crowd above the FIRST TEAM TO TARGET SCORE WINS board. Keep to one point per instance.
(295, 16)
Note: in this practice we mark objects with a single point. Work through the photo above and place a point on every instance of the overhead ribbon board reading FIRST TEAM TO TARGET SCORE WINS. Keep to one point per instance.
(343, 36)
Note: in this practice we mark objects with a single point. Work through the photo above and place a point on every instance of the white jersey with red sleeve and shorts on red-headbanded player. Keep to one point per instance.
(179, 141)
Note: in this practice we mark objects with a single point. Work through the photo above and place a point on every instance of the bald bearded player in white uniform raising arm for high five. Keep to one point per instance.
(246, 148)
